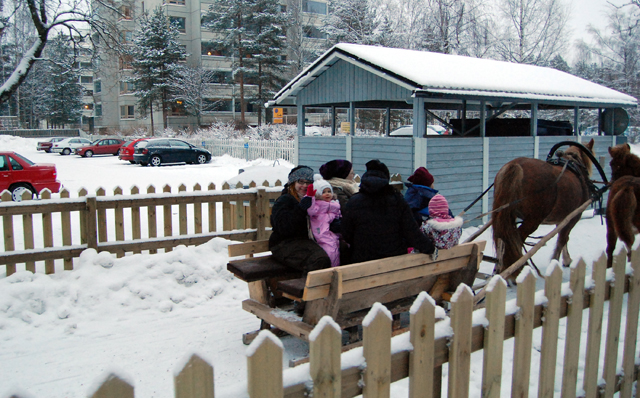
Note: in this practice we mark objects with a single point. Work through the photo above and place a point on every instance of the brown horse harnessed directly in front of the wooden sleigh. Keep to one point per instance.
(538, 193)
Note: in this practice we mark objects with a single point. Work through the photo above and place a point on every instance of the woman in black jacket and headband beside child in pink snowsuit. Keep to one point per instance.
(290, 243)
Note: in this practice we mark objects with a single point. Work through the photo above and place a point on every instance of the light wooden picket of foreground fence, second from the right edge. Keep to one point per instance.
(613, 324)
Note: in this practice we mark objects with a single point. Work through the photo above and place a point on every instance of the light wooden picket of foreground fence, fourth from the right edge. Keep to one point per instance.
(574, 331)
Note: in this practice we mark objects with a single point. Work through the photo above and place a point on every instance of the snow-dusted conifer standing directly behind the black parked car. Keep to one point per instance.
(155, 54)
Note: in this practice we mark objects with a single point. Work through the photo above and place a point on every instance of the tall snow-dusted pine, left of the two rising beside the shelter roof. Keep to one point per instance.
(231, 21)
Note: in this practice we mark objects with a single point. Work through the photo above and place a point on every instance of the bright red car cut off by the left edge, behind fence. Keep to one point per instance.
(18, 175)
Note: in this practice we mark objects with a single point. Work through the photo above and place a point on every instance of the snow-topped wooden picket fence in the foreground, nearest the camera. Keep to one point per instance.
(382, 360)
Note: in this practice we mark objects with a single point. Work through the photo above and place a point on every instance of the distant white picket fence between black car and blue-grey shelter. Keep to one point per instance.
(250, 150)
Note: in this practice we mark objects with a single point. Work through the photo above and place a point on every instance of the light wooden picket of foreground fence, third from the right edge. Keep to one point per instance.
(594, 332)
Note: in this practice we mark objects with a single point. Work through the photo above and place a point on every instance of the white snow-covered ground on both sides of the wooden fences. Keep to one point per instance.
(140, 316)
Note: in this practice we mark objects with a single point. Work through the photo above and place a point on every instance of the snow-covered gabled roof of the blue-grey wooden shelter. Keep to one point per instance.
(456, 74)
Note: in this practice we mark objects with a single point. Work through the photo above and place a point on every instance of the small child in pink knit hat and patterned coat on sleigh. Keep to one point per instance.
(444, 230)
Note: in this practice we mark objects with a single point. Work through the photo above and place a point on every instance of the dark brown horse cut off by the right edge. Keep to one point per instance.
(623, 215)
